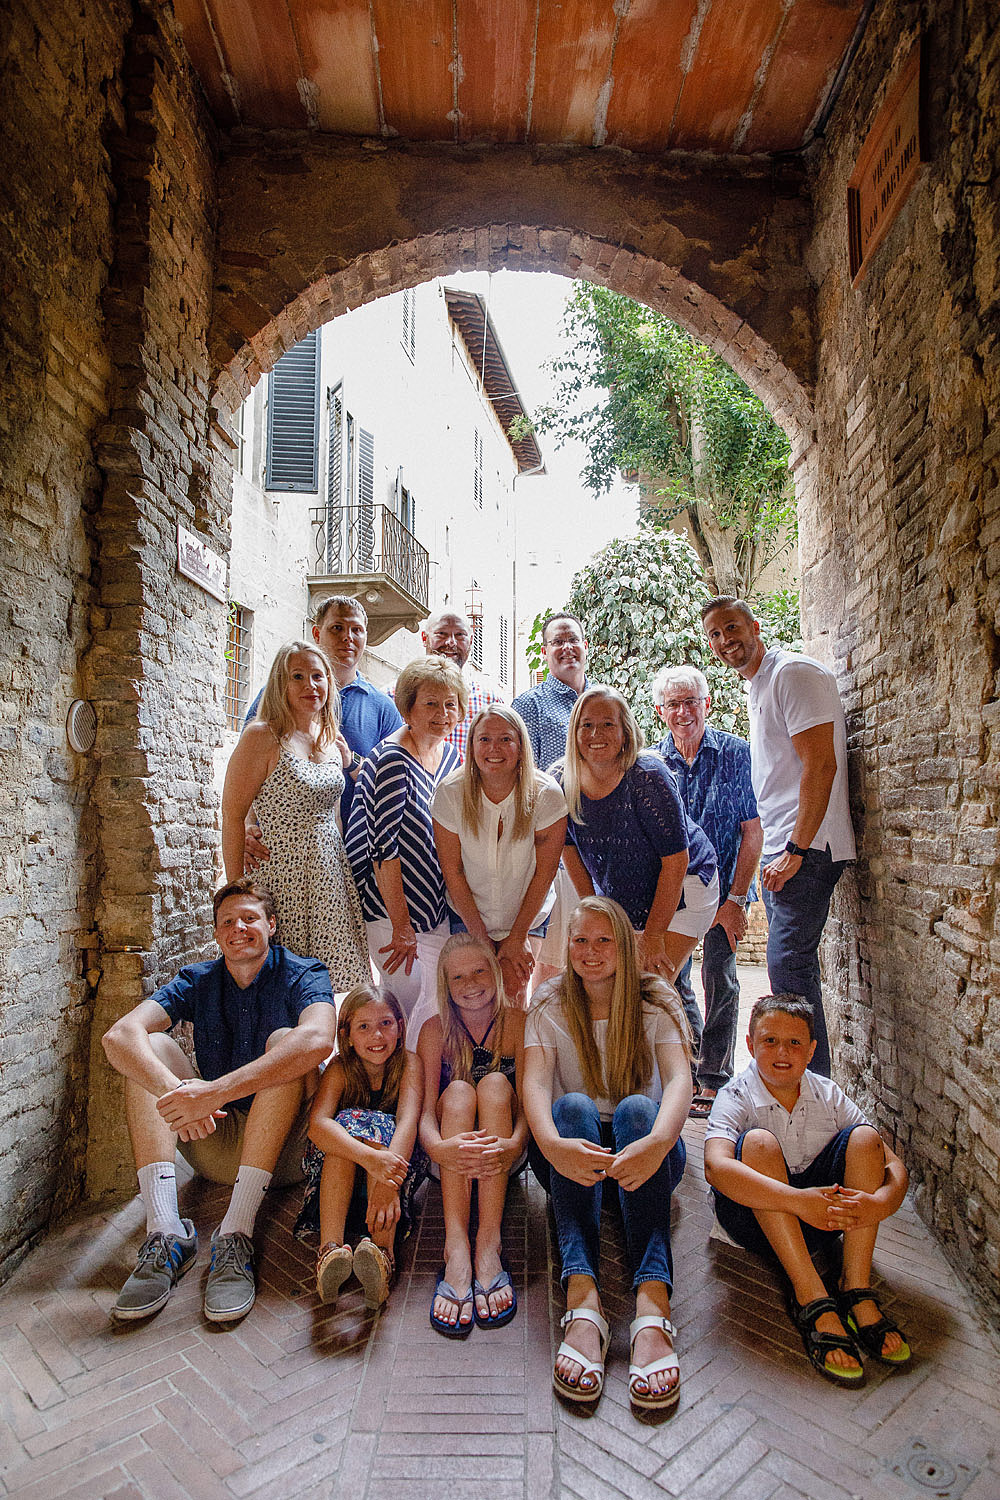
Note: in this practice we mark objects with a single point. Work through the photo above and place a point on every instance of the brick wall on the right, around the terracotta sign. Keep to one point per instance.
(902, 562)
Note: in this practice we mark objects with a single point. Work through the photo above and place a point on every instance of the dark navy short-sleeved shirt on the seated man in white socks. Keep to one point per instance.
(232, 1024)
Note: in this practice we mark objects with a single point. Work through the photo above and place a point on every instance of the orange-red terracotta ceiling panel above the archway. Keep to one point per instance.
(650, 76)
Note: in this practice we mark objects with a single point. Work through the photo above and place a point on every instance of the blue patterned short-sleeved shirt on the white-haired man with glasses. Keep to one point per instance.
(717, 793)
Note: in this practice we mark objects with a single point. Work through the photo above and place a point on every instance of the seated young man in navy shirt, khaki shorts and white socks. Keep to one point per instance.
(263, 1022)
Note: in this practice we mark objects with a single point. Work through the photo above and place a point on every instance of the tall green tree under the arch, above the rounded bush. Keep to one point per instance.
(674, 415)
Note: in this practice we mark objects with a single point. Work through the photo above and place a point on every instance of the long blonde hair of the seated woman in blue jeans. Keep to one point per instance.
(629, 1061)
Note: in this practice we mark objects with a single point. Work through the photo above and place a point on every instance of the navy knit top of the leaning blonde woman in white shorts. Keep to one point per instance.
(626, 836)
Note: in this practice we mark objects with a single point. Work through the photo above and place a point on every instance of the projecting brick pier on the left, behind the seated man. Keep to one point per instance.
(157, 664)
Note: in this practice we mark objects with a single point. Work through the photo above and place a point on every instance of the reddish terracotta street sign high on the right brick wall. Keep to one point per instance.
(887, 167)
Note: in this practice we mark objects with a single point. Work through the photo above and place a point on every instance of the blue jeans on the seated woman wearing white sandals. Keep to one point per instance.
(578, 1210)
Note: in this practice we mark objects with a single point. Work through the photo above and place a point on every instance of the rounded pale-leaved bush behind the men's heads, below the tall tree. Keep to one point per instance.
(641, 604)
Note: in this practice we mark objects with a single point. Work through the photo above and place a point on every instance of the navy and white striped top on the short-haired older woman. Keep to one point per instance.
(391, 820)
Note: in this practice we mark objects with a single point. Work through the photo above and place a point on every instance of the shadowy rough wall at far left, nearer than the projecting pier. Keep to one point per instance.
(61, 85)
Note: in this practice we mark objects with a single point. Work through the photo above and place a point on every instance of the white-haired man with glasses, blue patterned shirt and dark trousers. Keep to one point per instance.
(713, 775)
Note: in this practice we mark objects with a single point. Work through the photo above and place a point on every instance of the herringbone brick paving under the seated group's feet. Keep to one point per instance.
(302, 1400)
